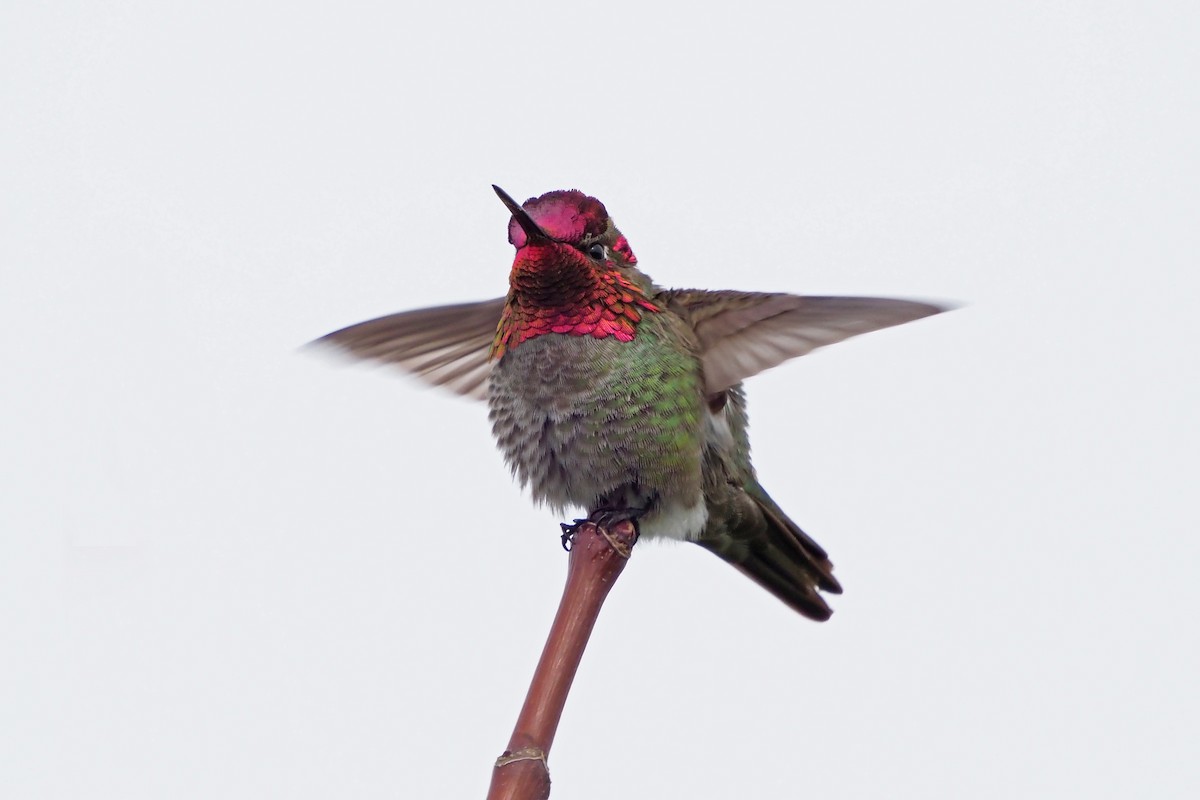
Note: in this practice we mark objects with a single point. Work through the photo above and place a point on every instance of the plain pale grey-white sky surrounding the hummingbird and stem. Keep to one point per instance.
(232, 569)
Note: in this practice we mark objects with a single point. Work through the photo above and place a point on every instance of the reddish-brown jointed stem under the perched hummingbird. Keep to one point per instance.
(597, 560)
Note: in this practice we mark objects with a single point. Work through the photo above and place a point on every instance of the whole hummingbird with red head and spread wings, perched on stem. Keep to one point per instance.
(611, 394)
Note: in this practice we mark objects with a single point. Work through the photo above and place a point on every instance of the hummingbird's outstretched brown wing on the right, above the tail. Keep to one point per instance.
(742, 334)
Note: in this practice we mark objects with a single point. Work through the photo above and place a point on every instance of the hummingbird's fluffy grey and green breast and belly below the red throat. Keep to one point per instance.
(602, 424)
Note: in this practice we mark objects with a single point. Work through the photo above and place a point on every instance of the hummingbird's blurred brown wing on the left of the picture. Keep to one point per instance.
(446, 347)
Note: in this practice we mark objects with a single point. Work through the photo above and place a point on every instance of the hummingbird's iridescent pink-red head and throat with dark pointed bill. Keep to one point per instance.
(574, 273)
